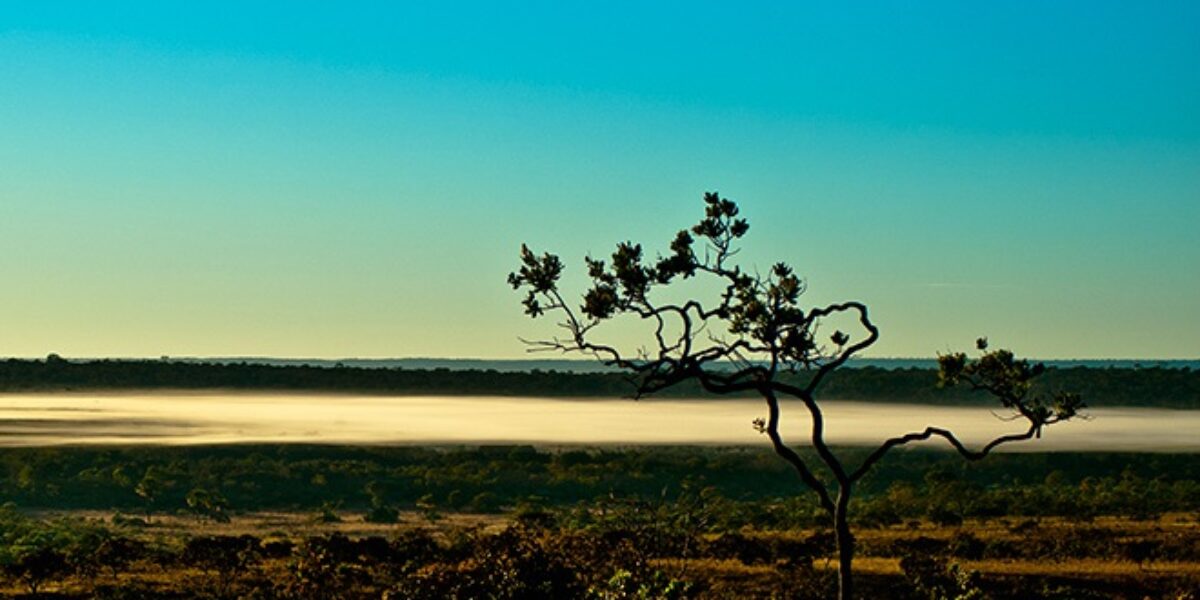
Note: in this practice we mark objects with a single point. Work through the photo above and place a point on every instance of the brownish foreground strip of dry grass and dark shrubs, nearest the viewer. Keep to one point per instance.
(616, 550)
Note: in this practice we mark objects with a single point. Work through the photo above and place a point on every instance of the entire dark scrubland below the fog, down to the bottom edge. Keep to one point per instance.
(517, 523)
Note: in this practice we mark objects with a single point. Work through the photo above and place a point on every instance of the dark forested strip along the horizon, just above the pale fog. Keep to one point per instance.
(1147, 387)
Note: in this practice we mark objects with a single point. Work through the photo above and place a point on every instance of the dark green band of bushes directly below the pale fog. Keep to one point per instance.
(758, 490)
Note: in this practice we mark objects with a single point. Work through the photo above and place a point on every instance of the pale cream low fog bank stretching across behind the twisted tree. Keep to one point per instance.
(217, 418)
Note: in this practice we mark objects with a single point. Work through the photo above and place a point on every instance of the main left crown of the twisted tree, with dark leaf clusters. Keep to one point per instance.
(757, 319)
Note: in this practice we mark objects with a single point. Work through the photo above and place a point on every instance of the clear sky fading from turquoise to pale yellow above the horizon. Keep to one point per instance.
(355, 179)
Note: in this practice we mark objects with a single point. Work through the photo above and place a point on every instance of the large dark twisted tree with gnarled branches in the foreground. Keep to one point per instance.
(755, 337)
